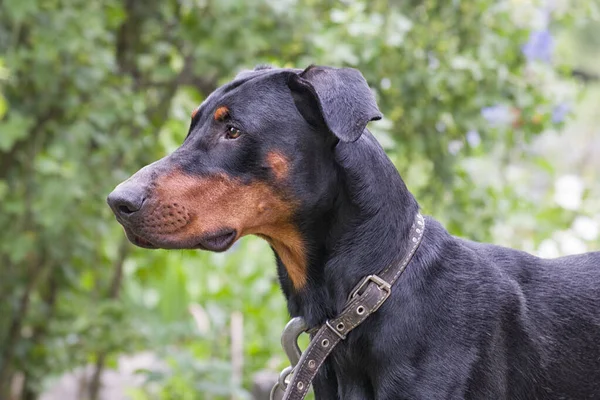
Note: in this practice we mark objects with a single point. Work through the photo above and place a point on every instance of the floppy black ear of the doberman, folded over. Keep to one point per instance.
(338, 98)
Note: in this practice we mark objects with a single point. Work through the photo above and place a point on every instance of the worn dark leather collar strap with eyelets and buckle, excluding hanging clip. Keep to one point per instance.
(364, 300)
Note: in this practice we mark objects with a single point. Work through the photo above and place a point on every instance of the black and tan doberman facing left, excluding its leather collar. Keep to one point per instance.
(284, 154)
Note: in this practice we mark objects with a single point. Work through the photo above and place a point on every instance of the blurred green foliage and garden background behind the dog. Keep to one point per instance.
(492, 116)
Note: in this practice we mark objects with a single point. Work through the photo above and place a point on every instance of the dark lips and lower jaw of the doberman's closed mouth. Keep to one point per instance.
(218, 241)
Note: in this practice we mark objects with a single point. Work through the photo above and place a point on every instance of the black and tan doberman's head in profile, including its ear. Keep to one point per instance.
(259, 153)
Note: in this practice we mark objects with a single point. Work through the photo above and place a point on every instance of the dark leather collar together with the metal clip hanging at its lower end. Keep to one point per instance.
(364, 300)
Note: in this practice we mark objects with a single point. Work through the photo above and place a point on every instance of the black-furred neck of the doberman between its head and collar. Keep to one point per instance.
(365, 229)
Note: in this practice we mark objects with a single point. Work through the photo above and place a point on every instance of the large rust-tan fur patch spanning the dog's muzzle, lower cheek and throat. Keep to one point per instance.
(218, 202)
